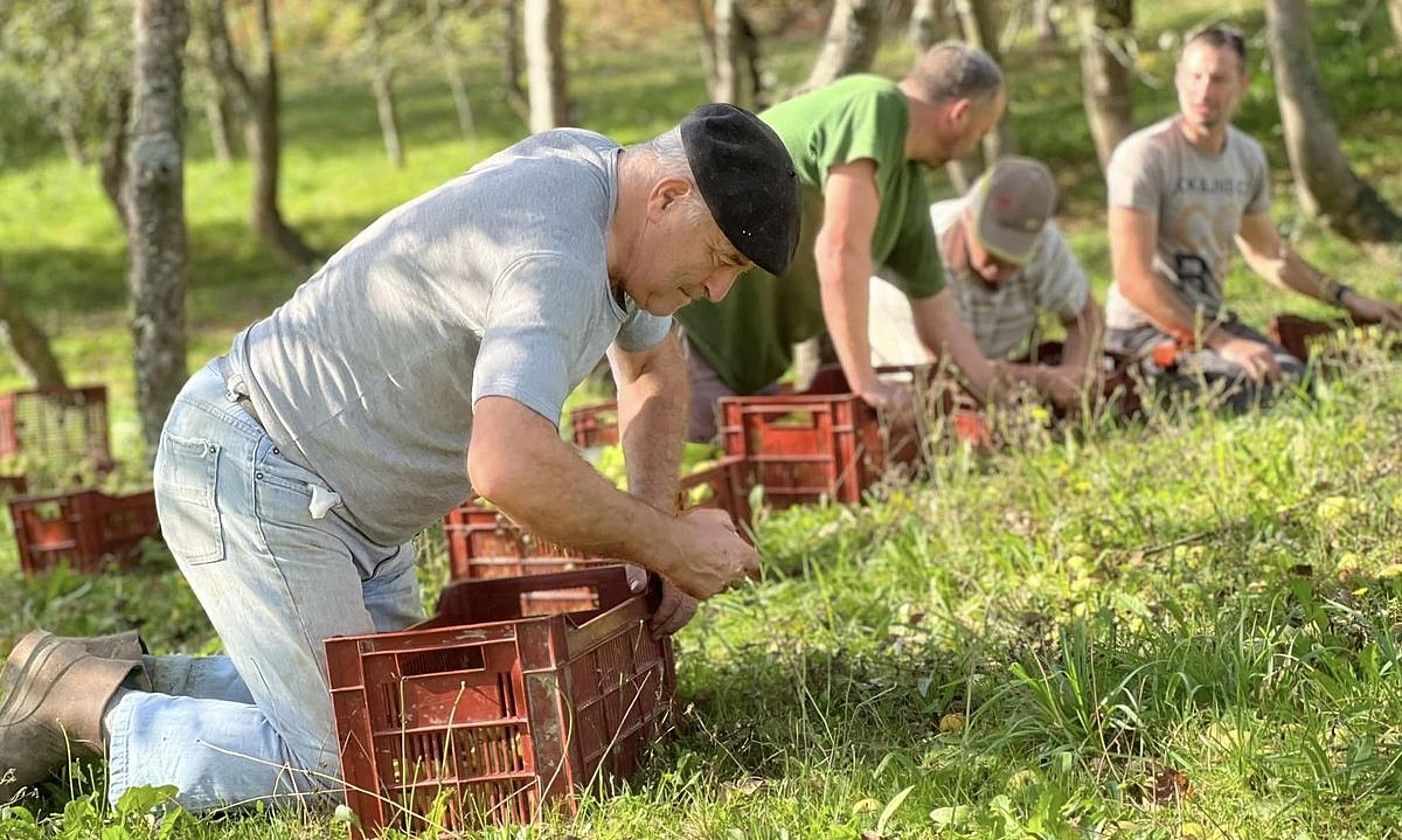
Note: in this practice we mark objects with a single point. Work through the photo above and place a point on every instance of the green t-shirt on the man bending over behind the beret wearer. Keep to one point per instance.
(748, 339)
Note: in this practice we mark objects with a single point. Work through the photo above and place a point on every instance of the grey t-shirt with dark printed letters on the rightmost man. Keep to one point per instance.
(1199, 201)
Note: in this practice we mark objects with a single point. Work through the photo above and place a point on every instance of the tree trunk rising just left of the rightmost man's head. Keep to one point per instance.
(1107, 79)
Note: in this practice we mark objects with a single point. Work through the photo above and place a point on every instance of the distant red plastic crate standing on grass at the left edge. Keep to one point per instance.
(61, 424)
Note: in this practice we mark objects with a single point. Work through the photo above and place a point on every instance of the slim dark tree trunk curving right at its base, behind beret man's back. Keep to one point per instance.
(266, 154)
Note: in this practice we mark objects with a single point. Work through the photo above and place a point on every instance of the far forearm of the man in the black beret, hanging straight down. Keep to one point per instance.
(653, 419)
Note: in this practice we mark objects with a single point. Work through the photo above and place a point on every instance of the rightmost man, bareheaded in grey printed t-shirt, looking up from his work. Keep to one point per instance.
(1181, 193)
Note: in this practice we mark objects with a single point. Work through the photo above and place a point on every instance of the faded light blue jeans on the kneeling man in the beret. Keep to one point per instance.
(277, 583)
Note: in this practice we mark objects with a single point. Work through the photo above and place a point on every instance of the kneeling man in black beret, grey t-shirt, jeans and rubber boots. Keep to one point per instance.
(427, 360)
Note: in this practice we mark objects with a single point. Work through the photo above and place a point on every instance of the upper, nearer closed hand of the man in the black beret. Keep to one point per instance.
(709, 555)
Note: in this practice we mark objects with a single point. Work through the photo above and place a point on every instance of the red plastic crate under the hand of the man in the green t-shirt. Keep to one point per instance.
(825, 442)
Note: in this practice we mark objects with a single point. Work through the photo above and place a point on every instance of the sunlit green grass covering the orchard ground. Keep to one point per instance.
(1031, 644)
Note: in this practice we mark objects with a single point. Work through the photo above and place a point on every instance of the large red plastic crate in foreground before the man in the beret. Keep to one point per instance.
(490, 714)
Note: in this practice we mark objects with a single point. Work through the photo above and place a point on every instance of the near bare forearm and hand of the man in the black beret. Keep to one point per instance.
(518, 462)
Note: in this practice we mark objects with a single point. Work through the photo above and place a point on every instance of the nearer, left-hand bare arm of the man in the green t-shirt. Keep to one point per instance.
(845, 267)
